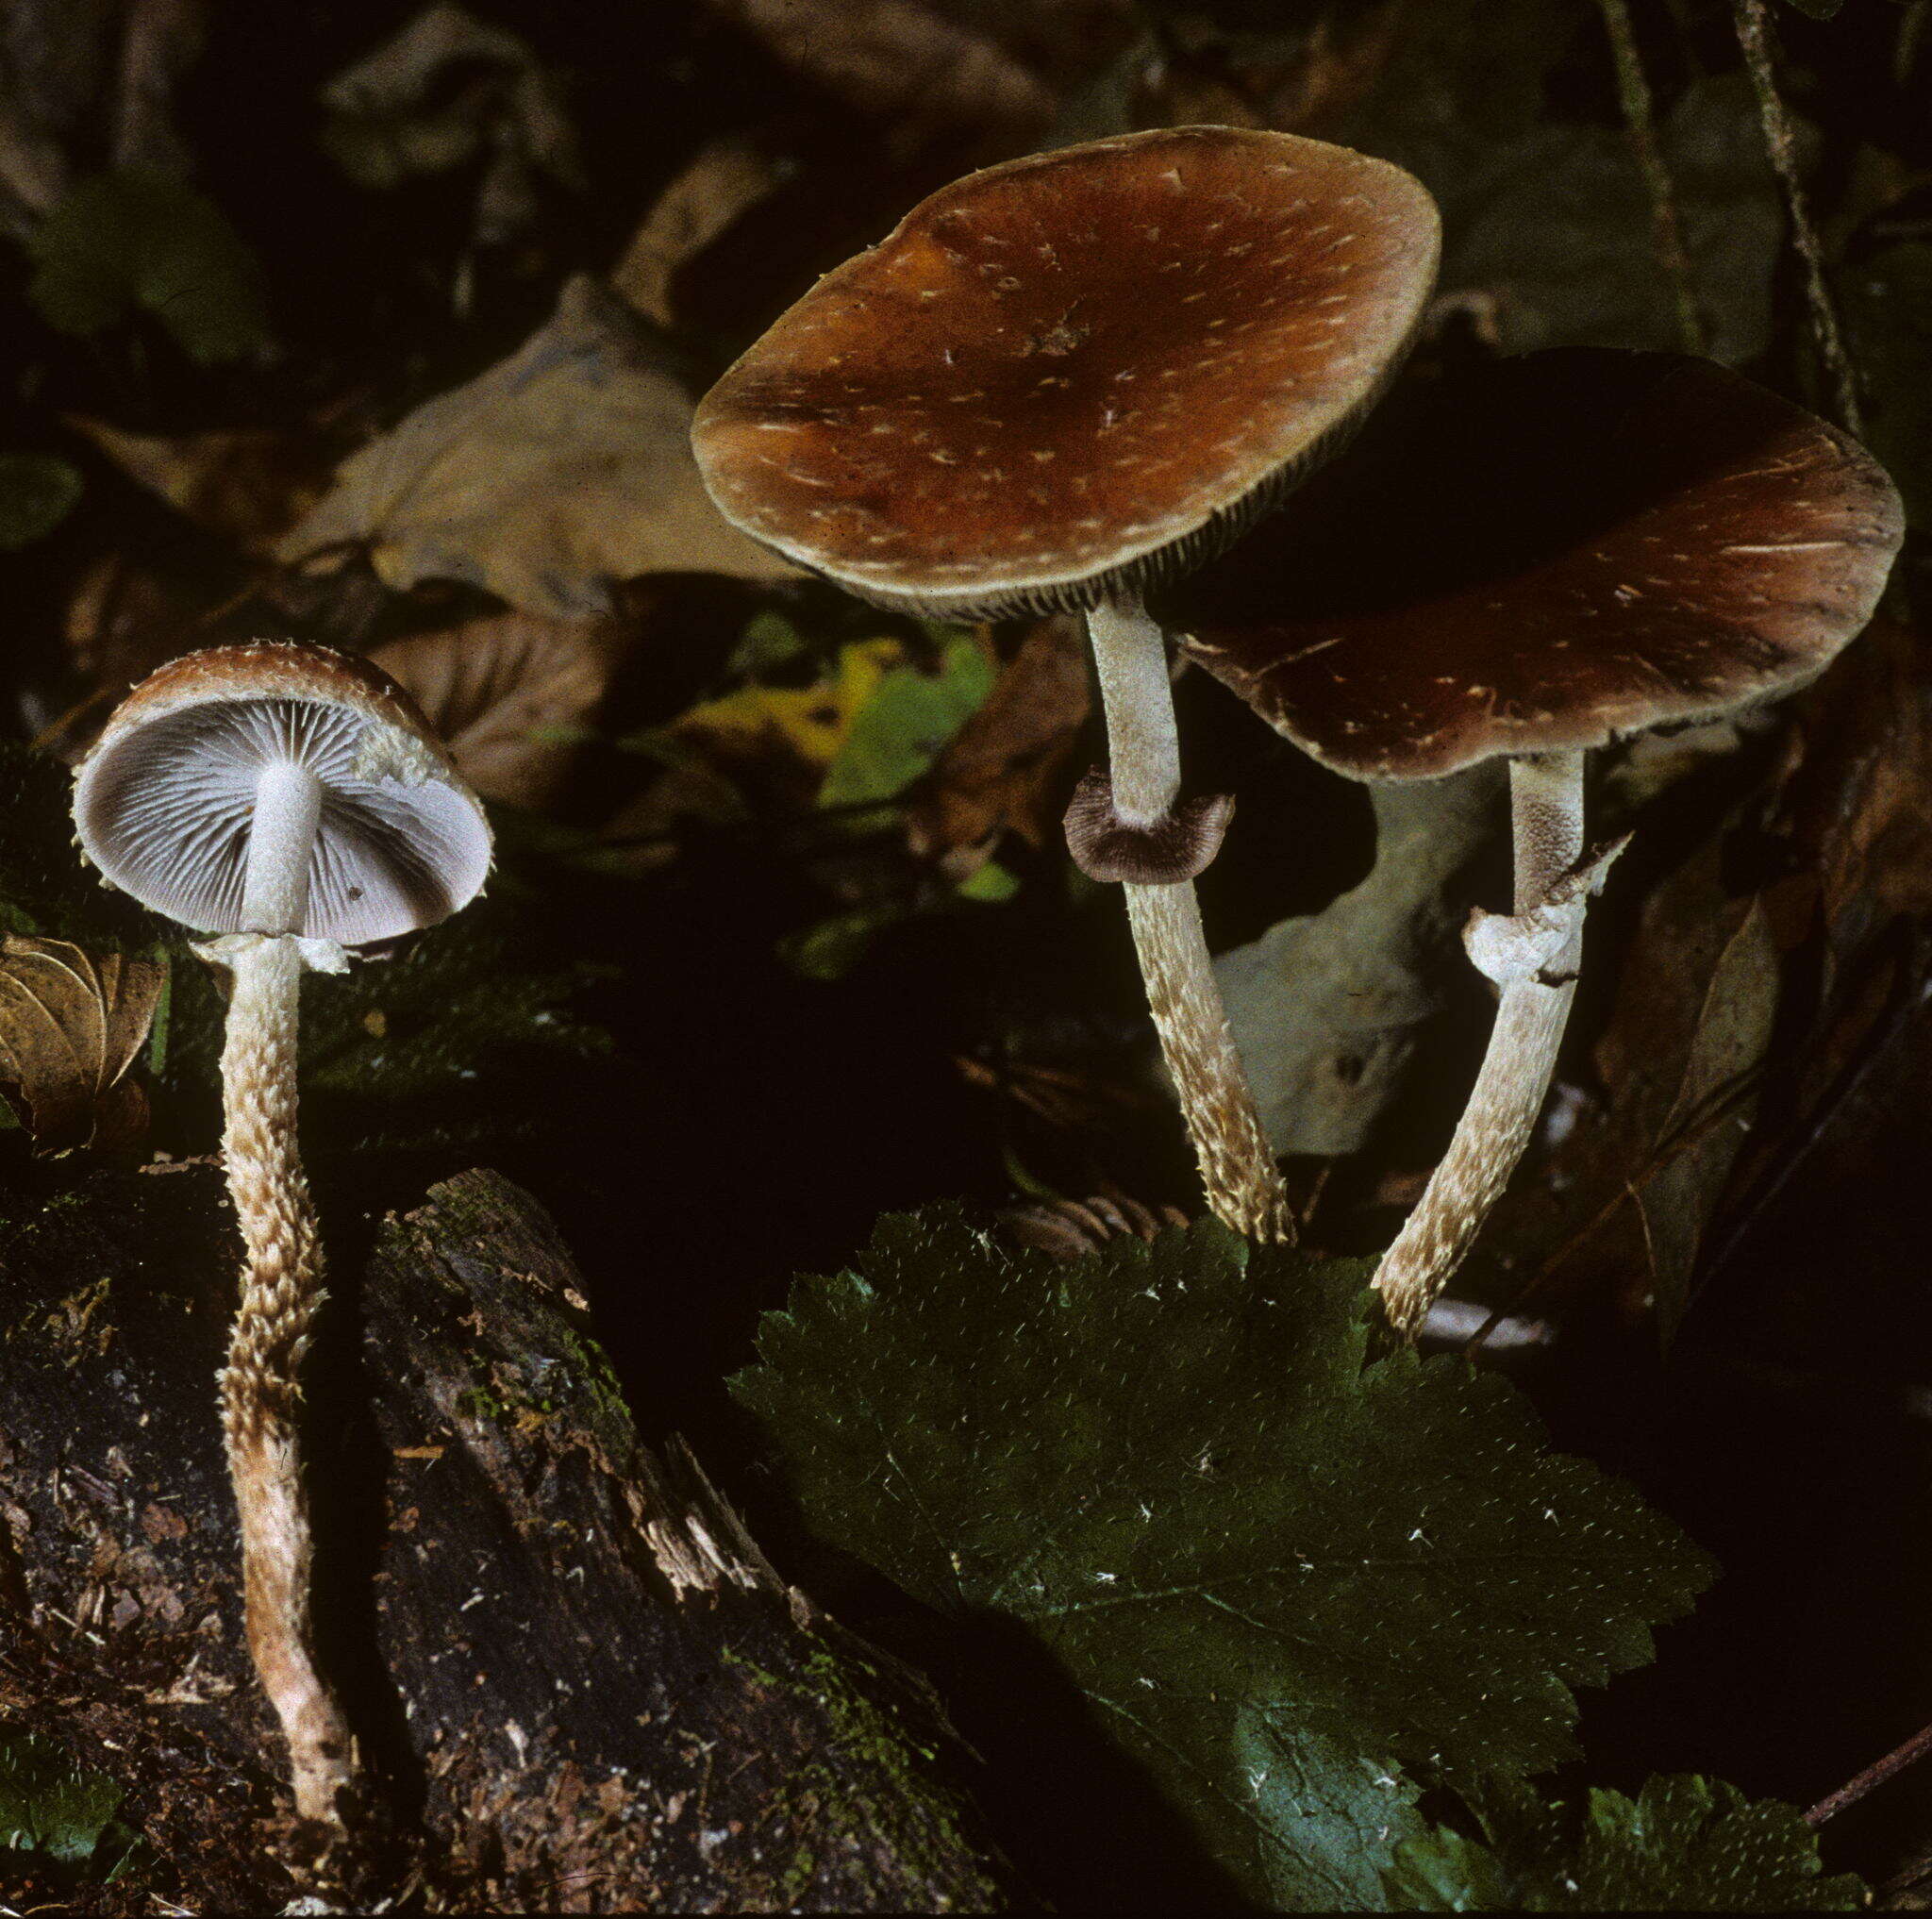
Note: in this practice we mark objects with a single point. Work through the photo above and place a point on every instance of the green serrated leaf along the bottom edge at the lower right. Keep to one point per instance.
(1686, 1845)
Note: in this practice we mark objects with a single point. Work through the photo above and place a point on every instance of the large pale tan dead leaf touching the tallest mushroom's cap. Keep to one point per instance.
(550, 480)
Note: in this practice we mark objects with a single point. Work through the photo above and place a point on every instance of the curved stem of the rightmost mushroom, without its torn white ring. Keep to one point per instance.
(1496, 1126)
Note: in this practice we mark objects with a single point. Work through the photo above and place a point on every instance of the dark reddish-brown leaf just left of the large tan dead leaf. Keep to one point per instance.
(248, 486)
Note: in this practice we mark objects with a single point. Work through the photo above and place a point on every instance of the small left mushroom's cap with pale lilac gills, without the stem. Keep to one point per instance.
(165, 797)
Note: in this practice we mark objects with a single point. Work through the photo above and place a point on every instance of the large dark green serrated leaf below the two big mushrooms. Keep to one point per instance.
(1179, 1472)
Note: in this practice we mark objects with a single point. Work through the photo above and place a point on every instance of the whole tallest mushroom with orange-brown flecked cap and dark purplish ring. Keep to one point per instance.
(1060, 382)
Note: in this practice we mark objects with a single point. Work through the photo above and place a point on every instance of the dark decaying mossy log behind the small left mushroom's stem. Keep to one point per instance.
(579, 1678)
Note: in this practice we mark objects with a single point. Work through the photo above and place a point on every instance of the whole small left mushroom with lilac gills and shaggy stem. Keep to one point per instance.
(291, 803)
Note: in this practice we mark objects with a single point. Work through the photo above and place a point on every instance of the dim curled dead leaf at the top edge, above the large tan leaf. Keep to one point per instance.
(443, 92)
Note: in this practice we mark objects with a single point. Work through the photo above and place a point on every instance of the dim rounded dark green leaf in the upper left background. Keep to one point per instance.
(148, 243)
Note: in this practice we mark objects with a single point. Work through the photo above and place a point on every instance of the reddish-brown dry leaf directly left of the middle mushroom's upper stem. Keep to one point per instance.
(1002, 770)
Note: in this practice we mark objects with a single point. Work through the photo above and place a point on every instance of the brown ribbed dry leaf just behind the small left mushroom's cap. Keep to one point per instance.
(509, 695)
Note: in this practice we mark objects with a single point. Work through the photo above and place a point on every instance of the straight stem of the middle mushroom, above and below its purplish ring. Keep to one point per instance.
(1145, 764)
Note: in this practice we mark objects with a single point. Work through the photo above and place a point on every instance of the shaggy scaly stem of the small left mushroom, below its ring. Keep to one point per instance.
(281, 1292)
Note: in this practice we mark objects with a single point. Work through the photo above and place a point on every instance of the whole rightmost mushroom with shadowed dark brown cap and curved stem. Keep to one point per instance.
(1531, 561)
